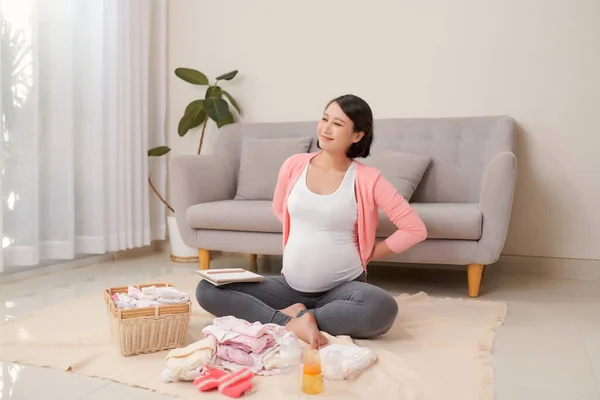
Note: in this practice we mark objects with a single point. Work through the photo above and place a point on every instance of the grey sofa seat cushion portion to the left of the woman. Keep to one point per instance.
(234, 215)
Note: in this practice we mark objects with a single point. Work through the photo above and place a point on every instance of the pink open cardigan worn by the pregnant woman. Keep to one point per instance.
(373, 191)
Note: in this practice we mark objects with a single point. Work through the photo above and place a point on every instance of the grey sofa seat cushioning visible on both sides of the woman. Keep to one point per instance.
(443, 221)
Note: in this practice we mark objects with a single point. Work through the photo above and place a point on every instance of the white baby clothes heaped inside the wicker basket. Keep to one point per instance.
(149, 297)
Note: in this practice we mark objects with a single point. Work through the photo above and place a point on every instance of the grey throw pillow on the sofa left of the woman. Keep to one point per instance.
(260, 163)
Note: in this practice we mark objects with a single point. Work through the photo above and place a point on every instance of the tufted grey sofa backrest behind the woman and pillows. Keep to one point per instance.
(460, 148)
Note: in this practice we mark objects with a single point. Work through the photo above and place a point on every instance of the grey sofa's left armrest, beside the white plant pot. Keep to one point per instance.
(198, 179)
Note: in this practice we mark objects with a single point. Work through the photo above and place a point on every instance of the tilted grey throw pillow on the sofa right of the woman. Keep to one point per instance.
(403, 170)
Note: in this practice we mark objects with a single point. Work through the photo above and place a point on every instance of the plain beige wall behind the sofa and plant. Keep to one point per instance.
(535, 60)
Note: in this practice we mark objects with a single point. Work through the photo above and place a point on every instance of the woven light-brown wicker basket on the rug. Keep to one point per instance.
(149, 329)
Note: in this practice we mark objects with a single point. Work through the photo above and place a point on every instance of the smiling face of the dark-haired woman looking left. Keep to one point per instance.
(336, 130)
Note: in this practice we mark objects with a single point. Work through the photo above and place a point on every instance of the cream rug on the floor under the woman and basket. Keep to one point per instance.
(437, 349)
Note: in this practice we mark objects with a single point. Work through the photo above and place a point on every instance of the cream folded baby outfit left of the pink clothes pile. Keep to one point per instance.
(185, 364)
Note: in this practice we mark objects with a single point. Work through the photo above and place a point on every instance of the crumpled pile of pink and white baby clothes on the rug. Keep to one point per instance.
(241, 344)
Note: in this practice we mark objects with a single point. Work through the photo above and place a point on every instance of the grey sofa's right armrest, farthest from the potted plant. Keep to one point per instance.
(495, 202)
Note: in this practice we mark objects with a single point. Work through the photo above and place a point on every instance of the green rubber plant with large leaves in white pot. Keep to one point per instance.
(213, 107)
